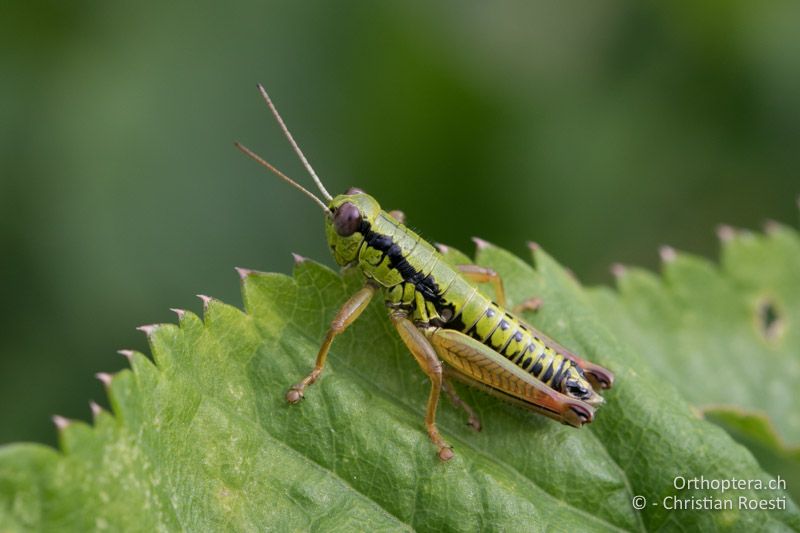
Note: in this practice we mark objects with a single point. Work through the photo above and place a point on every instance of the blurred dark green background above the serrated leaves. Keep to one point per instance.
(600, 129)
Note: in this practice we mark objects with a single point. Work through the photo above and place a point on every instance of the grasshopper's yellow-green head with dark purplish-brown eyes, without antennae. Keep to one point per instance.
(352, 214)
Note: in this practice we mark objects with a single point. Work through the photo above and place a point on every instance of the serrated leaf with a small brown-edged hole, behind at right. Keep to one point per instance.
(727, 336)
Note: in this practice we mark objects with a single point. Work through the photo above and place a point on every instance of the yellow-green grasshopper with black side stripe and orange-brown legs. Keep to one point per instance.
(450, 327)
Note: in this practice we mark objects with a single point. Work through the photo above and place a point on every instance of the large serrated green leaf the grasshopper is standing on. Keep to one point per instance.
(203, 438)
